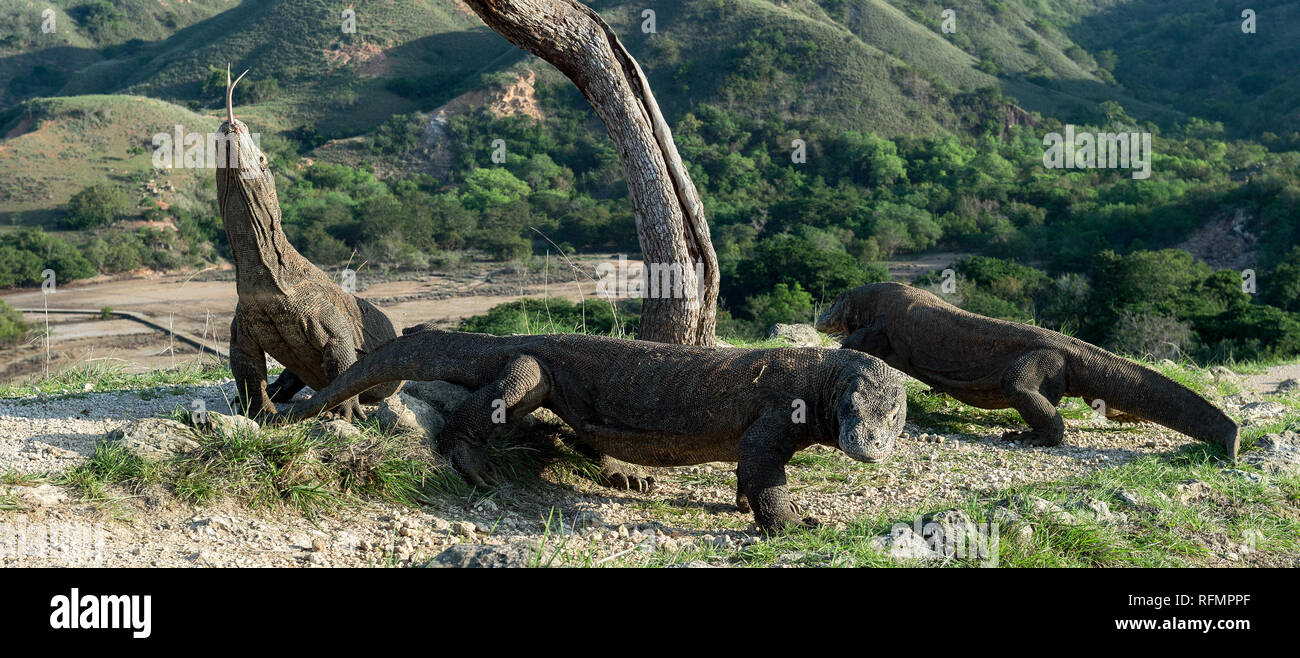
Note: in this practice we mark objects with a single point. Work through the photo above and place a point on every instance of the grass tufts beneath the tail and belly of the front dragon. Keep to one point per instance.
(306, 471)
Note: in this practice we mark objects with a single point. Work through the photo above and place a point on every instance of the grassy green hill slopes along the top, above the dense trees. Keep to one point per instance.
(886, 67)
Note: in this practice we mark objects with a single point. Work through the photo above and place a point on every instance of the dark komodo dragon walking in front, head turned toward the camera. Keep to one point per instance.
(649, 404)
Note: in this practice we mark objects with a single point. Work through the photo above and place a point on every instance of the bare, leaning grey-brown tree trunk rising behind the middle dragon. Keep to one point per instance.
(670, 218)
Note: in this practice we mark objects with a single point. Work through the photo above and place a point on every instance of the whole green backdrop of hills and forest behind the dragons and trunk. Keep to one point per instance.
(921, 131)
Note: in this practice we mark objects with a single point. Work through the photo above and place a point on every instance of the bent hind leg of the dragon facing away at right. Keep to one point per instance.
(1034, 386)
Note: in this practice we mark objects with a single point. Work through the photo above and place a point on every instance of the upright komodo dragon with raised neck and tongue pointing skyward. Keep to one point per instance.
(288, 308)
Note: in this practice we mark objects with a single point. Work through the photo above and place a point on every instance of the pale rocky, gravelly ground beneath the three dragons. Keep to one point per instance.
(553, 514)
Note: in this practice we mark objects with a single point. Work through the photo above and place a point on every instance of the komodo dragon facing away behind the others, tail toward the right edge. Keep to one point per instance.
(996, 365)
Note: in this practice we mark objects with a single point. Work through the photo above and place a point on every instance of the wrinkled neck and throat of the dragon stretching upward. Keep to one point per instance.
(250, 210)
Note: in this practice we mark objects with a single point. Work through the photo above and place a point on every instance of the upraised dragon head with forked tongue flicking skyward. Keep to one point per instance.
(244, 175)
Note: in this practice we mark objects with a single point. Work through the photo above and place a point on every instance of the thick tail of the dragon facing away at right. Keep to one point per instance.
(1134, 389)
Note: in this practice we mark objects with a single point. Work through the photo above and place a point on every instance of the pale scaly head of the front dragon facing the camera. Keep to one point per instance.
(872, 412)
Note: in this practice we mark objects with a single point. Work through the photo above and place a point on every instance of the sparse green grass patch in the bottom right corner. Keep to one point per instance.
(1160, 531)
